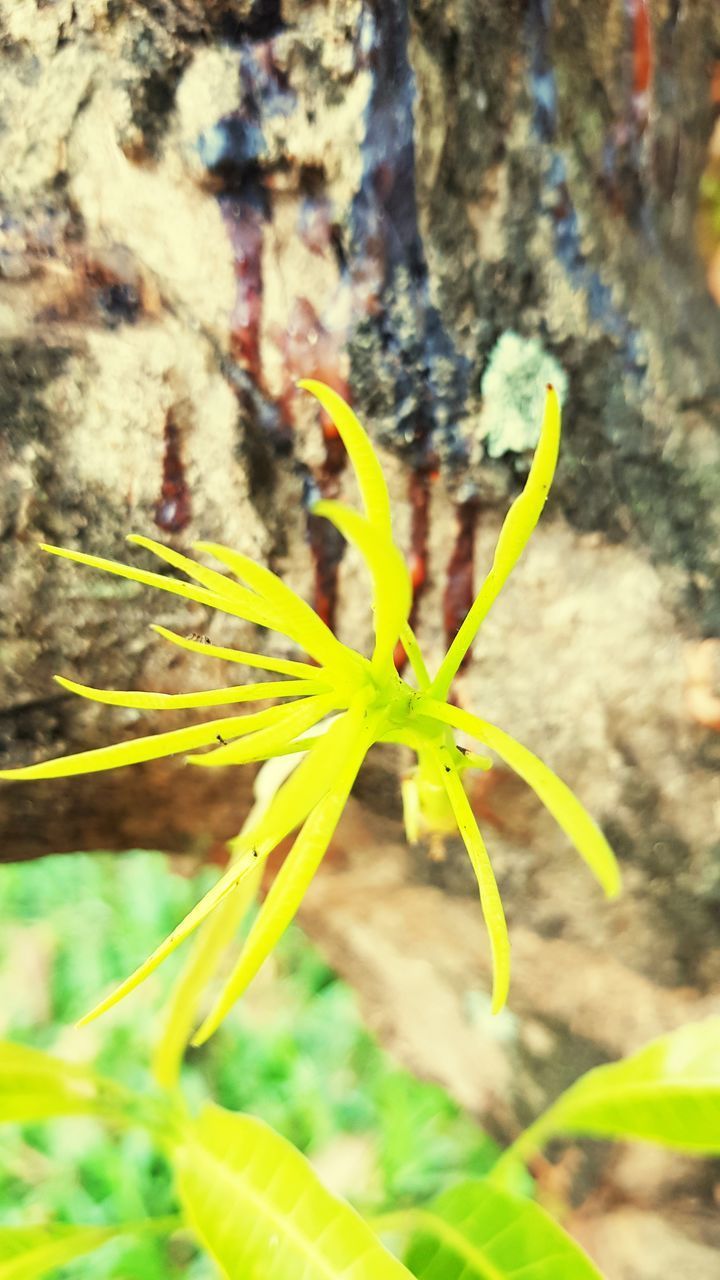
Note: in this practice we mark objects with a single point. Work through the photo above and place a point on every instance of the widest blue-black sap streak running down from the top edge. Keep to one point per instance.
(388, 264)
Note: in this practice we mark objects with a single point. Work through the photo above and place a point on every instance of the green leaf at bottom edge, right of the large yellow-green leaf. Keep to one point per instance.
(480, 1232)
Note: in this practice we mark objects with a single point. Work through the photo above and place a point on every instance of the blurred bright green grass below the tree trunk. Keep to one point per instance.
(295, 1053)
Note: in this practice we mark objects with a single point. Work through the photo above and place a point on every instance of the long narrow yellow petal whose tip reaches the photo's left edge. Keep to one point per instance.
(133, 753)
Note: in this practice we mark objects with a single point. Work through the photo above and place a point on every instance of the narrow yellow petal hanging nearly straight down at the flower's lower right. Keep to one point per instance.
(490, 895)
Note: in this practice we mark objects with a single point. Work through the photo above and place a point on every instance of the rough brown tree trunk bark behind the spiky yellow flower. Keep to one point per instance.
(434, 205)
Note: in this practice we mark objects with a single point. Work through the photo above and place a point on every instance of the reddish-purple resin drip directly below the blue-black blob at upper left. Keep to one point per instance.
(245, 228)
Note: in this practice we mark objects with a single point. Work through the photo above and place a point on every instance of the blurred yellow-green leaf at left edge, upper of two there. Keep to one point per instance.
(35, 1086)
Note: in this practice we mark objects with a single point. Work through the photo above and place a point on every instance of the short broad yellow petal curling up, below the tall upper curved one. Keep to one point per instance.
(393, 591)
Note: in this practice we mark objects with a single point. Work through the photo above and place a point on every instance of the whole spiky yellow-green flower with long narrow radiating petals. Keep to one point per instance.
(332, 714)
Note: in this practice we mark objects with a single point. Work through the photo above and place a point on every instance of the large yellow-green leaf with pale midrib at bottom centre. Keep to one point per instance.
(263, 1214)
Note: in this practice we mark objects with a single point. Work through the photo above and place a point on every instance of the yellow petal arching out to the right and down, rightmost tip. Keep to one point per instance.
(571, 816)
